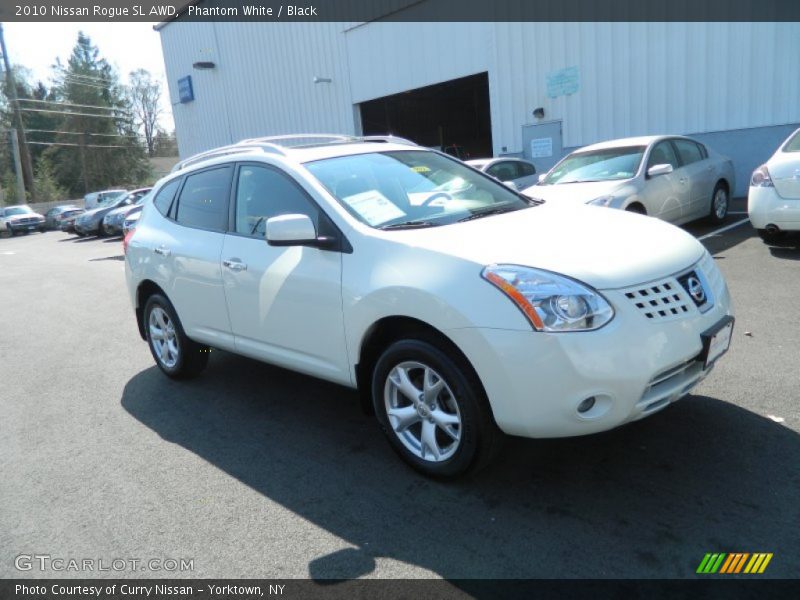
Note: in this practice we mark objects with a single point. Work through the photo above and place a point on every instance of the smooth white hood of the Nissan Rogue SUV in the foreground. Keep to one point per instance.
(605, 248)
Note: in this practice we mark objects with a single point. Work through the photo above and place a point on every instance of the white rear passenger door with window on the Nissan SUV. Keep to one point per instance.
(189, 249)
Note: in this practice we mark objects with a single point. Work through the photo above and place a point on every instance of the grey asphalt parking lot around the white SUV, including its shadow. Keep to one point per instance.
(252, 471)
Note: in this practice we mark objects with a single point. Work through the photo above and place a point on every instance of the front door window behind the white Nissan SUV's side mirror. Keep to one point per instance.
(264, 192)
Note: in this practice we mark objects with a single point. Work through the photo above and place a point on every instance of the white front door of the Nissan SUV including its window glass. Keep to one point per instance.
(285, 303)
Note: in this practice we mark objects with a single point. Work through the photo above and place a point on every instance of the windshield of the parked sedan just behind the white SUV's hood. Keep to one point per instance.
(608, 164)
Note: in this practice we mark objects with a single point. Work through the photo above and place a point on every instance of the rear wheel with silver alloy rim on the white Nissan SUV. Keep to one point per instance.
(175, 354)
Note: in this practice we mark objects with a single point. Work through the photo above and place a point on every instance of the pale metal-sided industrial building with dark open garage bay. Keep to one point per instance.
(532, 89)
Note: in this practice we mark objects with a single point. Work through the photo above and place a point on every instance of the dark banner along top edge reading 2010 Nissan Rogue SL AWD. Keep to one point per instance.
(400, 10)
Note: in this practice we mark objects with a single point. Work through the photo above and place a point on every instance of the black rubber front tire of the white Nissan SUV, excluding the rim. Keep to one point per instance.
(478, 436)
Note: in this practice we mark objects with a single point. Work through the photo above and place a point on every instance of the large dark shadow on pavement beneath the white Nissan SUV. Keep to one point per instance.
(646, 500)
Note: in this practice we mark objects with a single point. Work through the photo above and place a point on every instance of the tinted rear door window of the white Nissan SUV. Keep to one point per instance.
(203, 202)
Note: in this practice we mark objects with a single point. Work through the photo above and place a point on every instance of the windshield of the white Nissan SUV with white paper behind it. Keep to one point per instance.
(412, 188)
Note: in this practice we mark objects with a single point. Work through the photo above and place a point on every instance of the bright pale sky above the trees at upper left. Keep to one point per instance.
(126, 46)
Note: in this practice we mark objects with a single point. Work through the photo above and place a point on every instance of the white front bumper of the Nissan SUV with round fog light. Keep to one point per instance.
(633, 367)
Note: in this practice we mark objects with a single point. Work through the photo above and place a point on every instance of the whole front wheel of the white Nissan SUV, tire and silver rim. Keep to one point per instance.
(432, 409)
